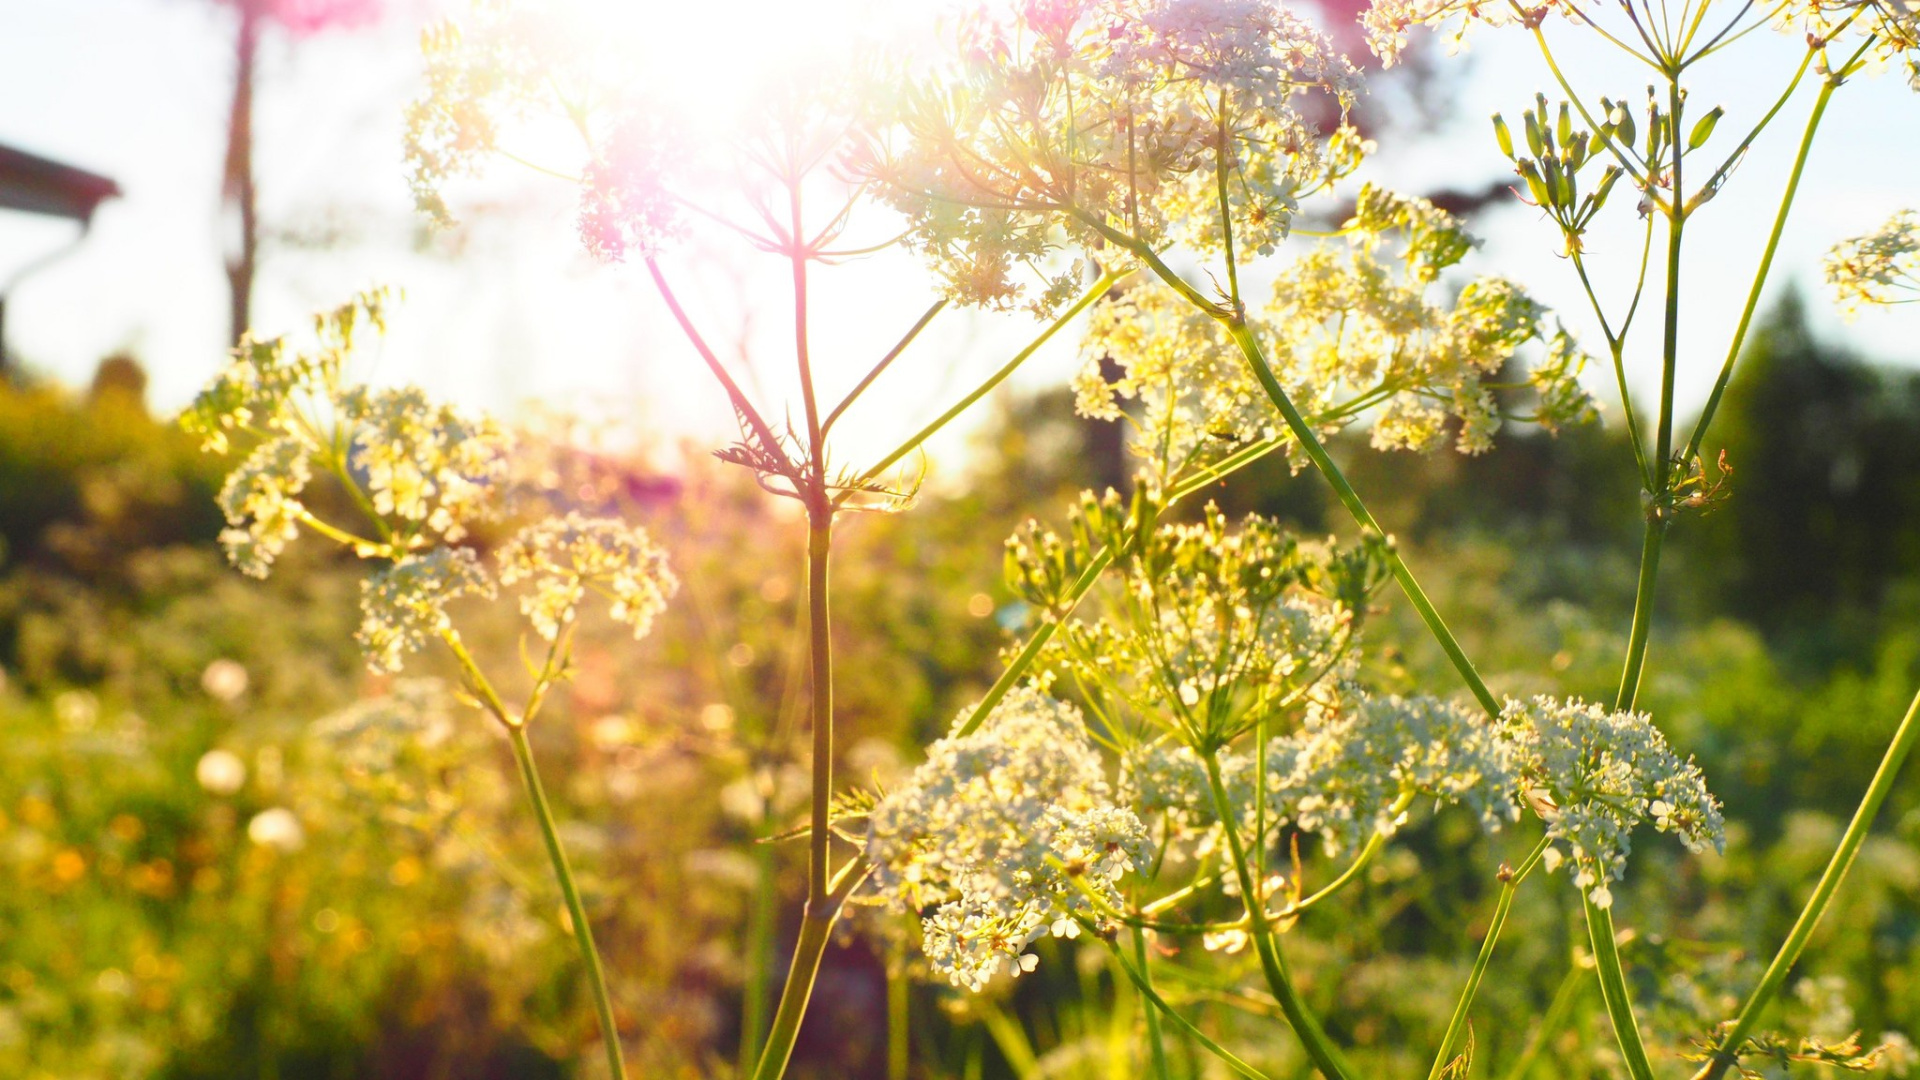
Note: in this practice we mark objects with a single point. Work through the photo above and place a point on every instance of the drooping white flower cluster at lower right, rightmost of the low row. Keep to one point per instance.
(1596, 775)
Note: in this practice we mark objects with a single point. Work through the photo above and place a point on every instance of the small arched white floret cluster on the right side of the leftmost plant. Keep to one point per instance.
(567, 556)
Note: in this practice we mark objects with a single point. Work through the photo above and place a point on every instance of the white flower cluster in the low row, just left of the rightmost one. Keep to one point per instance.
(1343, 773)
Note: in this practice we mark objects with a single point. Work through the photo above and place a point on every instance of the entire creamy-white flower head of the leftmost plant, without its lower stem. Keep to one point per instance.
(423, 474)
